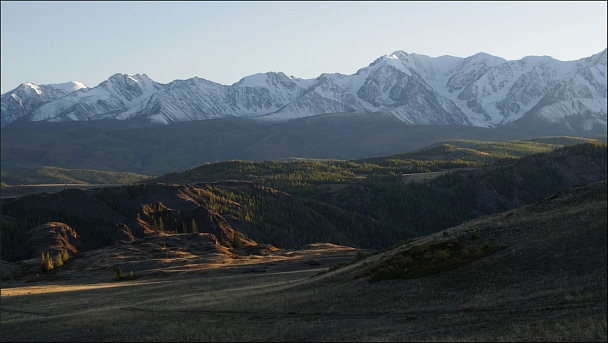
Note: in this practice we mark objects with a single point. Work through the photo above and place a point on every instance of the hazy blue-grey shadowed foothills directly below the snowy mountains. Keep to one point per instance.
(156, 150)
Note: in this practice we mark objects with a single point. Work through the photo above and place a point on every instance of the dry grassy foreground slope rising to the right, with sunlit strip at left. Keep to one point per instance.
(547, 282)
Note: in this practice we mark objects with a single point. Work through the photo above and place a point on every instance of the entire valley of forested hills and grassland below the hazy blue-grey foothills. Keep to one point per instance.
(494, 241)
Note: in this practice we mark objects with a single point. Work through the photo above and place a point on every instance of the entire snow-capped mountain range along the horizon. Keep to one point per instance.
(480, 90)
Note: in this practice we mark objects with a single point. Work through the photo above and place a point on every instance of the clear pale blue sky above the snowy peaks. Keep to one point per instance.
(56, 42)
